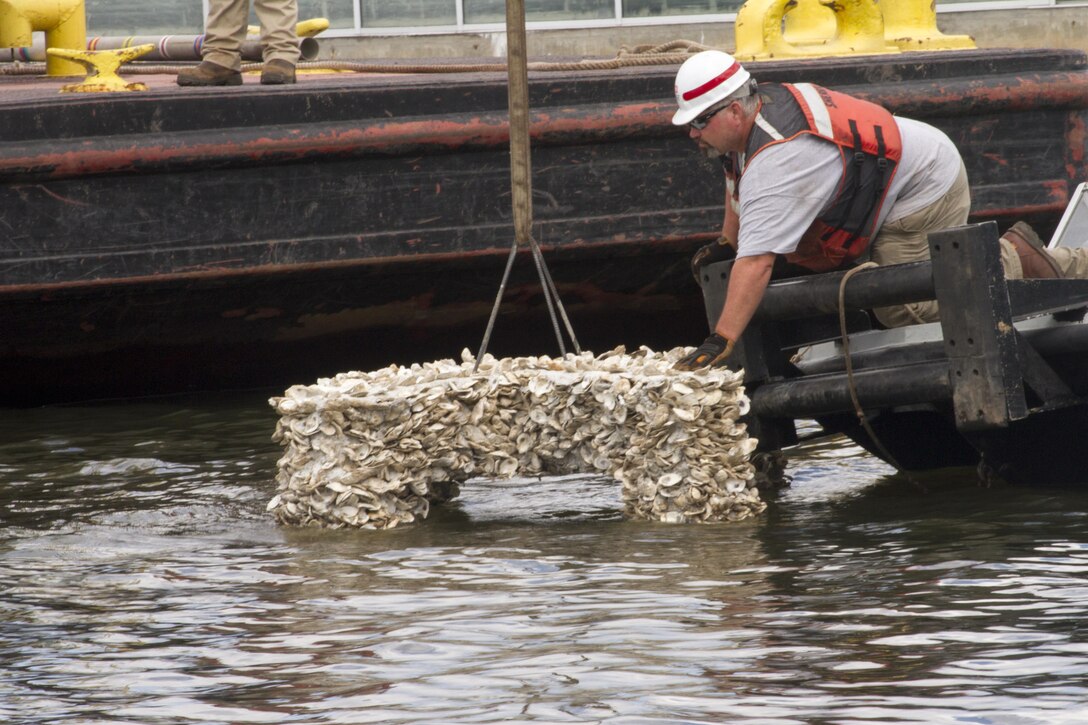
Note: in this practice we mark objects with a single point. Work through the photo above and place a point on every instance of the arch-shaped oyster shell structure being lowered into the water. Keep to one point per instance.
(375, 450)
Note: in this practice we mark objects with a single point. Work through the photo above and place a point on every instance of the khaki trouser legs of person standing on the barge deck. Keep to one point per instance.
(226, 31)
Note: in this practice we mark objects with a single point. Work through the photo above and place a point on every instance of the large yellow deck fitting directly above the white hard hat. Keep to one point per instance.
(858, 30)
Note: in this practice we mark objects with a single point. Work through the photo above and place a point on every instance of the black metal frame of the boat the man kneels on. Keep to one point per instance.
(974, 394)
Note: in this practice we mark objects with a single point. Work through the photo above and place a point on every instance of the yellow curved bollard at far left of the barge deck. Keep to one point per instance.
(64, 21)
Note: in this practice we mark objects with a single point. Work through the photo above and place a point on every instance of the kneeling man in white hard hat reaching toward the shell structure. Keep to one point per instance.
(824, 179)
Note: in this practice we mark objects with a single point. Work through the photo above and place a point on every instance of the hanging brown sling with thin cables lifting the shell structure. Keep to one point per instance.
(522, 182)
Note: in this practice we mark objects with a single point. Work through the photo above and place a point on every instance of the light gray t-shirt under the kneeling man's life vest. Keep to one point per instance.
(788, 186)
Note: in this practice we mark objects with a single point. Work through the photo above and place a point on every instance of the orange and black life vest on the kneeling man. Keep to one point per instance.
(870, 146)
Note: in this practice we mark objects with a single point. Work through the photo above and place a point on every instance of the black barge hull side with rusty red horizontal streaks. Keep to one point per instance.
(209, 239)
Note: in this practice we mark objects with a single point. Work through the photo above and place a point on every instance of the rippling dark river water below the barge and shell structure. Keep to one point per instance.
(144, 583)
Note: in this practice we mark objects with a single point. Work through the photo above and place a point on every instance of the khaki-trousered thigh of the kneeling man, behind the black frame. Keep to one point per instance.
(906, 241)
